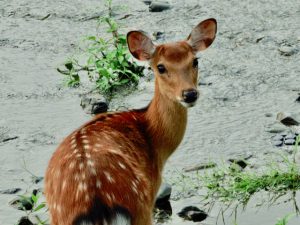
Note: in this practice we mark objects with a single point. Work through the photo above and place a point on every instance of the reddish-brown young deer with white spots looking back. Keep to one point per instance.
(108, 171)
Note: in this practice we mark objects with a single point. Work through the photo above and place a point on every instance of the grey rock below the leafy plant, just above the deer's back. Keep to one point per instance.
(94, 103)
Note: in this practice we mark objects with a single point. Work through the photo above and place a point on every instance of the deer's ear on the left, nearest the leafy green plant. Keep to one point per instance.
(140, 45)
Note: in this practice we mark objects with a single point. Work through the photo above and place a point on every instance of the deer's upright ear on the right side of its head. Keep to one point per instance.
(203, 35)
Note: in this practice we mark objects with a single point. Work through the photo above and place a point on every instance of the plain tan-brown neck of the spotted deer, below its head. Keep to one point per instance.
(167, 121)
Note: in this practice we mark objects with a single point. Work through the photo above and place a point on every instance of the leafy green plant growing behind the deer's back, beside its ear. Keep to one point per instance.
(108, 61)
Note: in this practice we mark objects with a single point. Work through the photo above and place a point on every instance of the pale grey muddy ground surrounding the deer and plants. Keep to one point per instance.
(253, 67)
